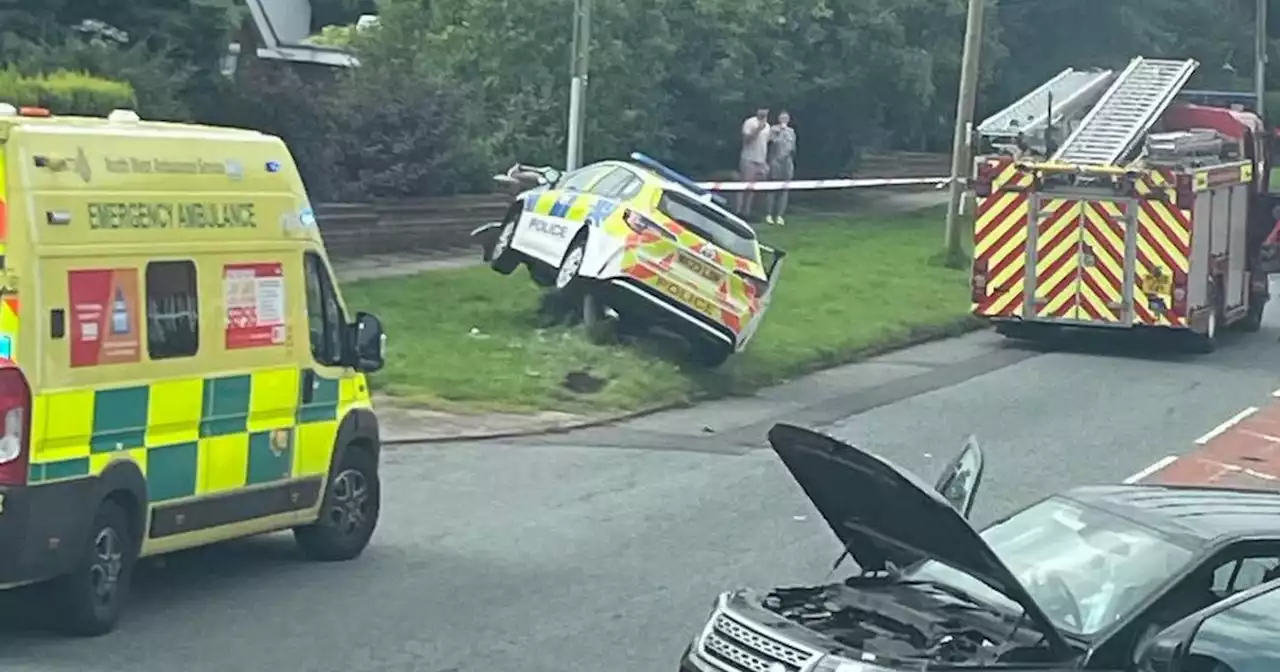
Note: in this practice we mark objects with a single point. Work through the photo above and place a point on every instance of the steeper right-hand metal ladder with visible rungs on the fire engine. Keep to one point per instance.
(1127, 111)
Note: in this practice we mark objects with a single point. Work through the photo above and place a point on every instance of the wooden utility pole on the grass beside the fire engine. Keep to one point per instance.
(961, 148)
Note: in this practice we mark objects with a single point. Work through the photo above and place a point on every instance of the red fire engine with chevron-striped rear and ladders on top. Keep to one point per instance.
(1168, 190)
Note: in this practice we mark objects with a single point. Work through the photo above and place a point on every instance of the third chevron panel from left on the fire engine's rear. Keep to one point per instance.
(1101, 290)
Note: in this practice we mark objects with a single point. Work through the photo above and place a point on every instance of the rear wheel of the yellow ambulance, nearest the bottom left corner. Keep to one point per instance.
(92, 598)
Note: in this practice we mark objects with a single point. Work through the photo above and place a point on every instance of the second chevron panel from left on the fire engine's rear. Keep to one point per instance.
(1058, 258)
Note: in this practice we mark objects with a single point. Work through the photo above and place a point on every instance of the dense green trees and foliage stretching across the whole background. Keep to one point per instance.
(451, 90)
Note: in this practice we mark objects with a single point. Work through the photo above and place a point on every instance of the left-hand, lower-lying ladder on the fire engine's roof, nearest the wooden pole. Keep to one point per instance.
(1069, 94)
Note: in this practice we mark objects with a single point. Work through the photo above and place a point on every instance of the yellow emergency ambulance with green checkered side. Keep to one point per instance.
(177, 365)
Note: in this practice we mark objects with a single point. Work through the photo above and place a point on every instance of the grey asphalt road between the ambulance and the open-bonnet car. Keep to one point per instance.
(605, 550)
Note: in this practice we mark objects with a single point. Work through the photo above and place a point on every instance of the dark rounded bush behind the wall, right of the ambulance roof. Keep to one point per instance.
(371, 134)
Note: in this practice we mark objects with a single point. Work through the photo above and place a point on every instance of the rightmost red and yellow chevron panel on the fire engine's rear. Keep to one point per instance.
(1164, 243)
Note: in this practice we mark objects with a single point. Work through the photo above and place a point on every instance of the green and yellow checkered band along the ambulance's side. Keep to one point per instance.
(194, 437)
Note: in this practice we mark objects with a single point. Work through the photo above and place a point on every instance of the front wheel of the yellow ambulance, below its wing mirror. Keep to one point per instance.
(349, 514)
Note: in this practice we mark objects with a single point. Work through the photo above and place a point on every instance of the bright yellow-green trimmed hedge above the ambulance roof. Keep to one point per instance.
(66, 93)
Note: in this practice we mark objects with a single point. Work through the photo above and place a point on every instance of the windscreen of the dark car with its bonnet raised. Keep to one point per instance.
(1085, 568)
